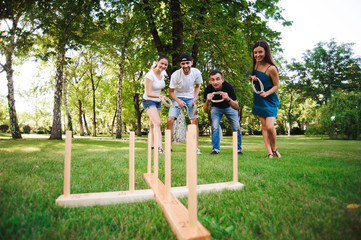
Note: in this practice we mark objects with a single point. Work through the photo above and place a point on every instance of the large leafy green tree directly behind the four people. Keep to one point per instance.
(203, 28)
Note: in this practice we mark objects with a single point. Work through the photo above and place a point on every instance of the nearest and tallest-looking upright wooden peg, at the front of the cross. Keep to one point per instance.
(192, 174)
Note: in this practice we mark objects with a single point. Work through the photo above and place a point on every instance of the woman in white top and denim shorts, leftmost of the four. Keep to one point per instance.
(152, 98)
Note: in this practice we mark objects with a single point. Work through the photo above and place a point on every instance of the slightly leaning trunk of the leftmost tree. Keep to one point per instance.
(14, 126)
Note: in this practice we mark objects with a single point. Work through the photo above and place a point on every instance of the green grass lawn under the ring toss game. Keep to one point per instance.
(303, 195)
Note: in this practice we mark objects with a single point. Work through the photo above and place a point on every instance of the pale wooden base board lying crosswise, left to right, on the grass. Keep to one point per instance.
(107, 198)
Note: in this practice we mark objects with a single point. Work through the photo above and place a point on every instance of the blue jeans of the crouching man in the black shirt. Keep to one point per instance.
(232, 115)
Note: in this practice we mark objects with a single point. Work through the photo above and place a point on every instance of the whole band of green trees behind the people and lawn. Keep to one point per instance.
(100, 51)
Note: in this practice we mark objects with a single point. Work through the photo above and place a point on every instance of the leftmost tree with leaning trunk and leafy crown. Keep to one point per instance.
(17, 40)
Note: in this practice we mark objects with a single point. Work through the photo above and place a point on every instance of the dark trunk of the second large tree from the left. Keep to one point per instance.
(56, 127)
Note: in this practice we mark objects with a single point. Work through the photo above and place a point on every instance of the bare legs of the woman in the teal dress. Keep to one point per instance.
(269, 134)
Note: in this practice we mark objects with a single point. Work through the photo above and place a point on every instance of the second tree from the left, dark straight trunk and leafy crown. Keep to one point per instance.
(68, 24)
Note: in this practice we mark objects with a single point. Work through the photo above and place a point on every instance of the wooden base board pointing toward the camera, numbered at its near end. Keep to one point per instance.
(174, 211)
